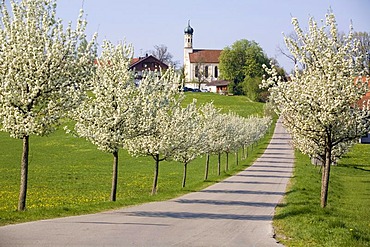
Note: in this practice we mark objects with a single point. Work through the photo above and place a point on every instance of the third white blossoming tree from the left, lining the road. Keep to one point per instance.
(157, 101)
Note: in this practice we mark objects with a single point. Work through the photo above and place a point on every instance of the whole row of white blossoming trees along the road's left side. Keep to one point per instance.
(50, 73)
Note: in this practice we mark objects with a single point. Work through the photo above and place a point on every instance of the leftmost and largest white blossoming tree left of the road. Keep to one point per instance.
(43, 70)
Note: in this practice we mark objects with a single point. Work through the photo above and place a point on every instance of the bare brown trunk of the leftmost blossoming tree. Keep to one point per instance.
(24, 175)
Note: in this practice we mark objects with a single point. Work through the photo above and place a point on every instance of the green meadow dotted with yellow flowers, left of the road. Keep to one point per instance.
(69, 176)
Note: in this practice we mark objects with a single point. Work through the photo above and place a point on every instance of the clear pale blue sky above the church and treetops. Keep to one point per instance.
(216, 23)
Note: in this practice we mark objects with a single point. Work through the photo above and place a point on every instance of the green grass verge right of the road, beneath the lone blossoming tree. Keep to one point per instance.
(300, 221)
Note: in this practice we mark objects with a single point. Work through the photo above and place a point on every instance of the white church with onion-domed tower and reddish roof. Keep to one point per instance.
(201, 66)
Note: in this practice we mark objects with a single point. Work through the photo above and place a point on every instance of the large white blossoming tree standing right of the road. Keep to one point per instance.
(319, 104)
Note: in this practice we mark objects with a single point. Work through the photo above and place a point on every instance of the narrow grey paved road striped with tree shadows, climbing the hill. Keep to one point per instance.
(235, 212)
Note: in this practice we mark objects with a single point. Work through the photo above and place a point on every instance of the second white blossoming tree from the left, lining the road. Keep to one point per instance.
(106, 117)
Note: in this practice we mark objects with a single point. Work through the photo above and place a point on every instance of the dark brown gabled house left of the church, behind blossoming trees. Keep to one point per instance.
(147, 63)
